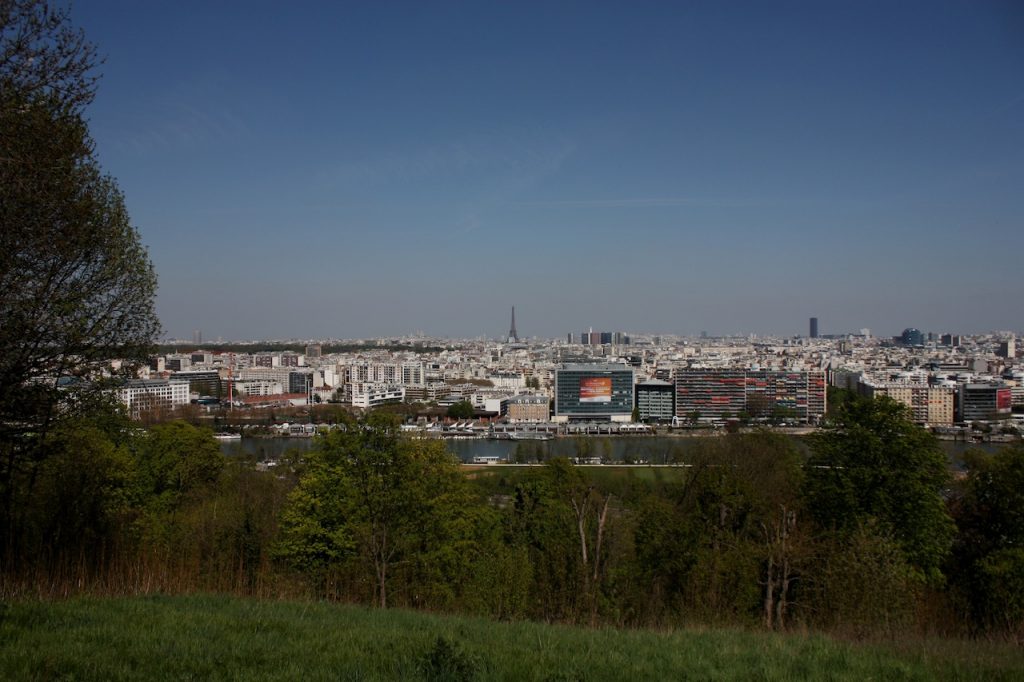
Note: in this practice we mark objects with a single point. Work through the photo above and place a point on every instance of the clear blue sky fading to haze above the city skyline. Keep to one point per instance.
(361, 169)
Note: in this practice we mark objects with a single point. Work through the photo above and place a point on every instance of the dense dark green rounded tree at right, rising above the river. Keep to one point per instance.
(872, 465)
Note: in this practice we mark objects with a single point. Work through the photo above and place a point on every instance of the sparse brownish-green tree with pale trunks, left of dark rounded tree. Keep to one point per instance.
(729, 542)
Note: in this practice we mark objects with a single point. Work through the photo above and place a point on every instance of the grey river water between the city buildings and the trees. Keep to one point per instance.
(654, 450)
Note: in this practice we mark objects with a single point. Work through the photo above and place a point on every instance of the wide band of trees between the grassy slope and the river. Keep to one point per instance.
(866, 532)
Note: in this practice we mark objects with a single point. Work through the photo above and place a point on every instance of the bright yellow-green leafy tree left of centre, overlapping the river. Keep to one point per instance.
(399, 508)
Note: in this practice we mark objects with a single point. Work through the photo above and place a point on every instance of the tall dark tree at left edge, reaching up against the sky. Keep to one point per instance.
(76, 285)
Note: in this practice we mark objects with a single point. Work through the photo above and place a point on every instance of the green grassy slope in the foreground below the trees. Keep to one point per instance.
(212, 637)
